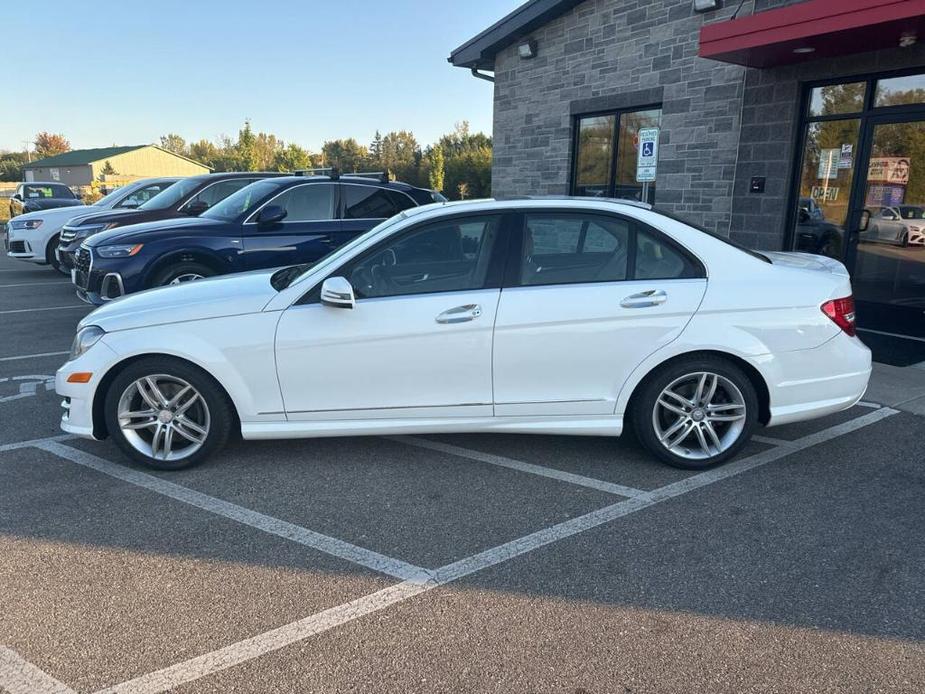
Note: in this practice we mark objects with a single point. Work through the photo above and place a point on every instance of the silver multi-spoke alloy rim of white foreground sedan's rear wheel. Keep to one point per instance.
(699, 415)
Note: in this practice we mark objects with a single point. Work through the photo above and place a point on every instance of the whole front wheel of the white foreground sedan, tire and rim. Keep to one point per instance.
(167, 414)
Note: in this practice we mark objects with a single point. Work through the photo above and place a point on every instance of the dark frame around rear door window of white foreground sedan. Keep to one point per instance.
(512, 279)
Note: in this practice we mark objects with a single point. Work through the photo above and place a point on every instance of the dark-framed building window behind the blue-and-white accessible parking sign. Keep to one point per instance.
(606, 154)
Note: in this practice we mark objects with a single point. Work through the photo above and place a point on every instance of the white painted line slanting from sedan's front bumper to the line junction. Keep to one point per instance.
(273, 526)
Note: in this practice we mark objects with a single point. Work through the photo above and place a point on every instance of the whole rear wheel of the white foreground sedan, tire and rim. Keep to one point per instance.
(696, 413)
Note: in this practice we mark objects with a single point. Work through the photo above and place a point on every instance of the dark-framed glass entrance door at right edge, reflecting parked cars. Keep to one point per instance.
(888, 258)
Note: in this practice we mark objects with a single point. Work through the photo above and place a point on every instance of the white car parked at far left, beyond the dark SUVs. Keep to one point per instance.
(34, 236)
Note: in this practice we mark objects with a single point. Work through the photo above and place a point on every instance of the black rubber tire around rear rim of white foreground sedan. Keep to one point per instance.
(645, 399)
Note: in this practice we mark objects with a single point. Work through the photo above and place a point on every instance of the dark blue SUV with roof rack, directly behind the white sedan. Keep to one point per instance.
(274, 222)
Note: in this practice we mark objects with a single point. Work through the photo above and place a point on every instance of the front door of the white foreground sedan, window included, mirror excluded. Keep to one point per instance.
(418, 341)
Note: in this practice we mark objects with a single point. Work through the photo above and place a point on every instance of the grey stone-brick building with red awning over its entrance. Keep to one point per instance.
(780, 122)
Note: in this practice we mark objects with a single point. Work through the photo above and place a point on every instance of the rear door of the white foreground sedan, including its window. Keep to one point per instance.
(586, 298)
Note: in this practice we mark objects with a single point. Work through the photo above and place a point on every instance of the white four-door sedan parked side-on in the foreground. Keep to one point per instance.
(546, 316)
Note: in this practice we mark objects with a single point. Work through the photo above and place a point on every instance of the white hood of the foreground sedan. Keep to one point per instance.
(229, 295)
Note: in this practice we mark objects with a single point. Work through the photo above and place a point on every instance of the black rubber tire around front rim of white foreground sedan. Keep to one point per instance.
(221, 411)
